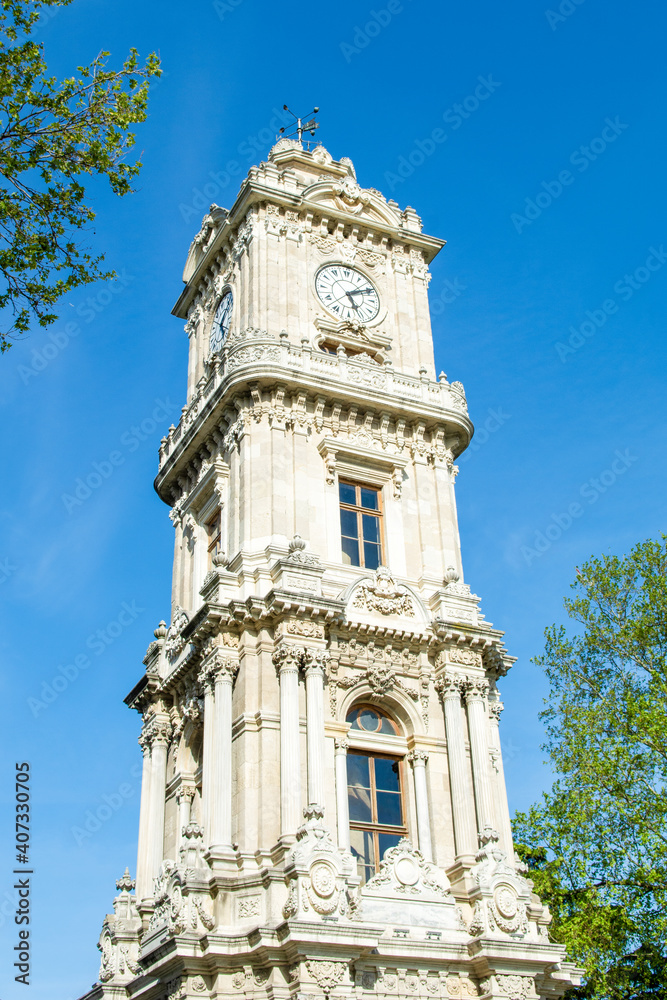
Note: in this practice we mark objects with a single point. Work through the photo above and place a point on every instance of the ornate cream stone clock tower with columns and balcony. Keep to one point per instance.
(323, 808)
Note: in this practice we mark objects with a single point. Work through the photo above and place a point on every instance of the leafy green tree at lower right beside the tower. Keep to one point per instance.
(596, 845)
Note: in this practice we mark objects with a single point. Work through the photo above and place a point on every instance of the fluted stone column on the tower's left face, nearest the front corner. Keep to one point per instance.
(220, 811)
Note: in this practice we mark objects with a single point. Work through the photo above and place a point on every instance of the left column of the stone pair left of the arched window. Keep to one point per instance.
(287, 660)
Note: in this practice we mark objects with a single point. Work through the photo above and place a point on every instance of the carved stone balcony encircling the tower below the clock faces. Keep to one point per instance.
(254, 360)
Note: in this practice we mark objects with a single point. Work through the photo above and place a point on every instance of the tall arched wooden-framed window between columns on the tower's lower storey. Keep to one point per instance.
(375, 792)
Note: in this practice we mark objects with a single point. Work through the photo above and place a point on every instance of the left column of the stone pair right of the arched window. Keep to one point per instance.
(448, 686)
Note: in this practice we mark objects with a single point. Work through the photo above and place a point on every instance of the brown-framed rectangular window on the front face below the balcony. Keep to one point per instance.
(361, 525)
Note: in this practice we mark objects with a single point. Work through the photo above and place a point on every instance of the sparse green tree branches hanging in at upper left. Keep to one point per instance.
(52, 133)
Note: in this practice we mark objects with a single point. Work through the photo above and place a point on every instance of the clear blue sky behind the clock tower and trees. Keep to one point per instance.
(548, 301)
